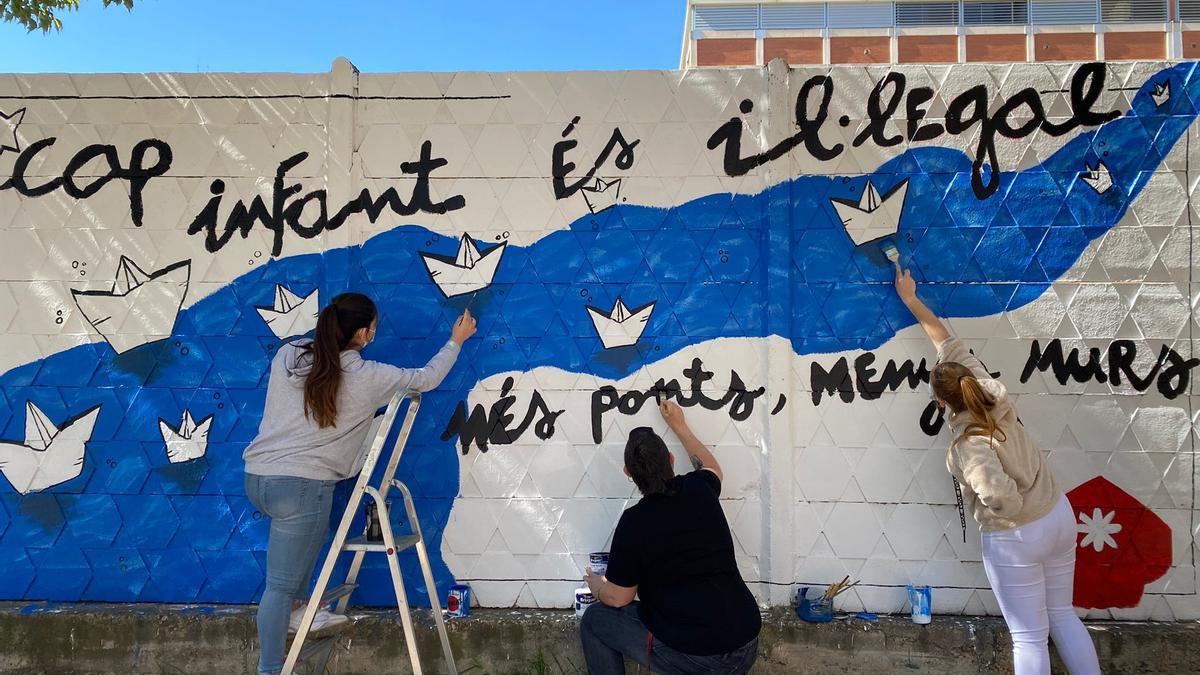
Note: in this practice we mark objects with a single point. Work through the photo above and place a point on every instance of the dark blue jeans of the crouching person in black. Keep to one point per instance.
(610, 635)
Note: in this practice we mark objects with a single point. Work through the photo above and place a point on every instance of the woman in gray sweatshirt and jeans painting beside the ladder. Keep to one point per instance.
(321, 399)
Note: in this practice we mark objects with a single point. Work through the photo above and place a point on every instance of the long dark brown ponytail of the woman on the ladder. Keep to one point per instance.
(337, 327)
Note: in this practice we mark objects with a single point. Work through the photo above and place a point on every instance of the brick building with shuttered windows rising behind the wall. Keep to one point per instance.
(752, 33)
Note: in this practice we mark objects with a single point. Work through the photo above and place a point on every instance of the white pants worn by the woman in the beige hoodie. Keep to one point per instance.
(1033, 572)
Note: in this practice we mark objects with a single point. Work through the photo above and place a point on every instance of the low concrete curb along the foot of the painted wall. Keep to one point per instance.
(129, 640)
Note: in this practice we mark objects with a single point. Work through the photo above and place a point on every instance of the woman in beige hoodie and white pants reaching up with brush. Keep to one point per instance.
(1027, 523)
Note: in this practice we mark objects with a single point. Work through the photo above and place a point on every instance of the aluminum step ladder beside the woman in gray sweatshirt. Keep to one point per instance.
(317, 652)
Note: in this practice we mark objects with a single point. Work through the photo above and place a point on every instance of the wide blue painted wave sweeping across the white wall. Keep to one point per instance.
(135, 528)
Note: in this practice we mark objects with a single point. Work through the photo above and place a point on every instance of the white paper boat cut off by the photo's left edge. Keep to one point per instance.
(50, 456)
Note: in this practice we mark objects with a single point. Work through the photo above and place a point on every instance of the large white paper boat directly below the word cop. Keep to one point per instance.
(141, 308)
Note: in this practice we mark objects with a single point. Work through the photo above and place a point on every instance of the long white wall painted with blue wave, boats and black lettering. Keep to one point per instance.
(712, 236)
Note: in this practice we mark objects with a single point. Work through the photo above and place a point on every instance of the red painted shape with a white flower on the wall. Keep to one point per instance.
(1129, 558)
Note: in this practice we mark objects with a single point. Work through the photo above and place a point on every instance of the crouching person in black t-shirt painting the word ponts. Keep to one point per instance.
(674, 551)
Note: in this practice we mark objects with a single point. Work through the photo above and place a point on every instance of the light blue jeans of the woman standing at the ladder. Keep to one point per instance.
(299, 512)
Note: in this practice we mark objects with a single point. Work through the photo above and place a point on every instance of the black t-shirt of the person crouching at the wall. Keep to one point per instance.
(680, 554)
